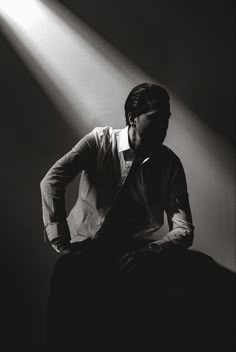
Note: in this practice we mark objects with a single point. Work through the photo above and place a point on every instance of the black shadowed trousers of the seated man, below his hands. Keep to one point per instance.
(169, 301)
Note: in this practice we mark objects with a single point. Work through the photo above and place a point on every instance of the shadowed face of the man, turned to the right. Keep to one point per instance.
(151, 128)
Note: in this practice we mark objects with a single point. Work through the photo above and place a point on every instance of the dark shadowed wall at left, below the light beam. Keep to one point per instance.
(32, 135)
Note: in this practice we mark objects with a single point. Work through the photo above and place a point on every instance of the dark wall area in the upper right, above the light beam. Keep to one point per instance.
(186, 45)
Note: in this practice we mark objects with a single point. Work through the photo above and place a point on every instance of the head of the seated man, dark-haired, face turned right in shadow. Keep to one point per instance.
(147, 112)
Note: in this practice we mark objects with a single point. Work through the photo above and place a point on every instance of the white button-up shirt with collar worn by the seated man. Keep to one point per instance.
(105, 158)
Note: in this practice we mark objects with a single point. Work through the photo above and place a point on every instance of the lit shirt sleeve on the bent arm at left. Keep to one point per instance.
(53, 186)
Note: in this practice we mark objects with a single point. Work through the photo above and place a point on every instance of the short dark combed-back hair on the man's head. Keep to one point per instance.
(142, 97)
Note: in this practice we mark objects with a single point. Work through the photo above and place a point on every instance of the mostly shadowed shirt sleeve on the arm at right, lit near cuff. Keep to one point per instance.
(181, 229)
